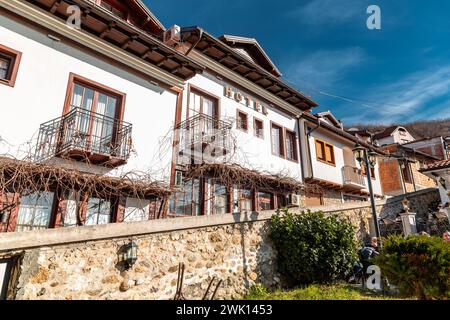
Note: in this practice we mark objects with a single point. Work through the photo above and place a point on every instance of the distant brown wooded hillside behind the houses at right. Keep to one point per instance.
(419, 129)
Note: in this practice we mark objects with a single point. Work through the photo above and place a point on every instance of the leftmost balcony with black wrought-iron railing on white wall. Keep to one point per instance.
(85, 136)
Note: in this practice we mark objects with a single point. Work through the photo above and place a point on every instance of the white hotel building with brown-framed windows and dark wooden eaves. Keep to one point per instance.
(118, 98)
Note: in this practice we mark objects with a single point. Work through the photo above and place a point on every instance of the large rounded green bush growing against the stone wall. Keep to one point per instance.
(312, 247)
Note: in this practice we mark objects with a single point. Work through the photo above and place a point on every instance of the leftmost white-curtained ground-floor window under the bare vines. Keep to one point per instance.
(35, 211)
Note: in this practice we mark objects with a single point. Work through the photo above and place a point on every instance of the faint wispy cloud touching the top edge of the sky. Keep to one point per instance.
(318, 12)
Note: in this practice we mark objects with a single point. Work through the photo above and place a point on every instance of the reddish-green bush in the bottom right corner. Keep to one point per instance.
(418, 265)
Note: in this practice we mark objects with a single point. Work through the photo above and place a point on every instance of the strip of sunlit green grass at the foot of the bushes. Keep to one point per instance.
(318, 292)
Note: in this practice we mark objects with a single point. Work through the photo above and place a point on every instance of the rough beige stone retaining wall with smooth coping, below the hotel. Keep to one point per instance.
(81, 262)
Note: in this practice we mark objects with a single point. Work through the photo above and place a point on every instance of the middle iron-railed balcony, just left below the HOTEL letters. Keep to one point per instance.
(202, 139)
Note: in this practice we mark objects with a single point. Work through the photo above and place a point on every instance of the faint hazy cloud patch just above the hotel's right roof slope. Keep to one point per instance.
(324, 68)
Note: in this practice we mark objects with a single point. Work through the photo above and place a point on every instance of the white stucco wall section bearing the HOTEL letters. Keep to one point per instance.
(252, 152)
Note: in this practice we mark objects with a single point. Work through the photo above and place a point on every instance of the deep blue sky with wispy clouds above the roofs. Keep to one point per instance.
(400, 73)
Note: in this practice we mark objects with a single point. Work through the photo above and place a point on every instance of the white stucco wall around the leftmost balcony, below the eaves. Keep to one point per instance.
(40, 90)
